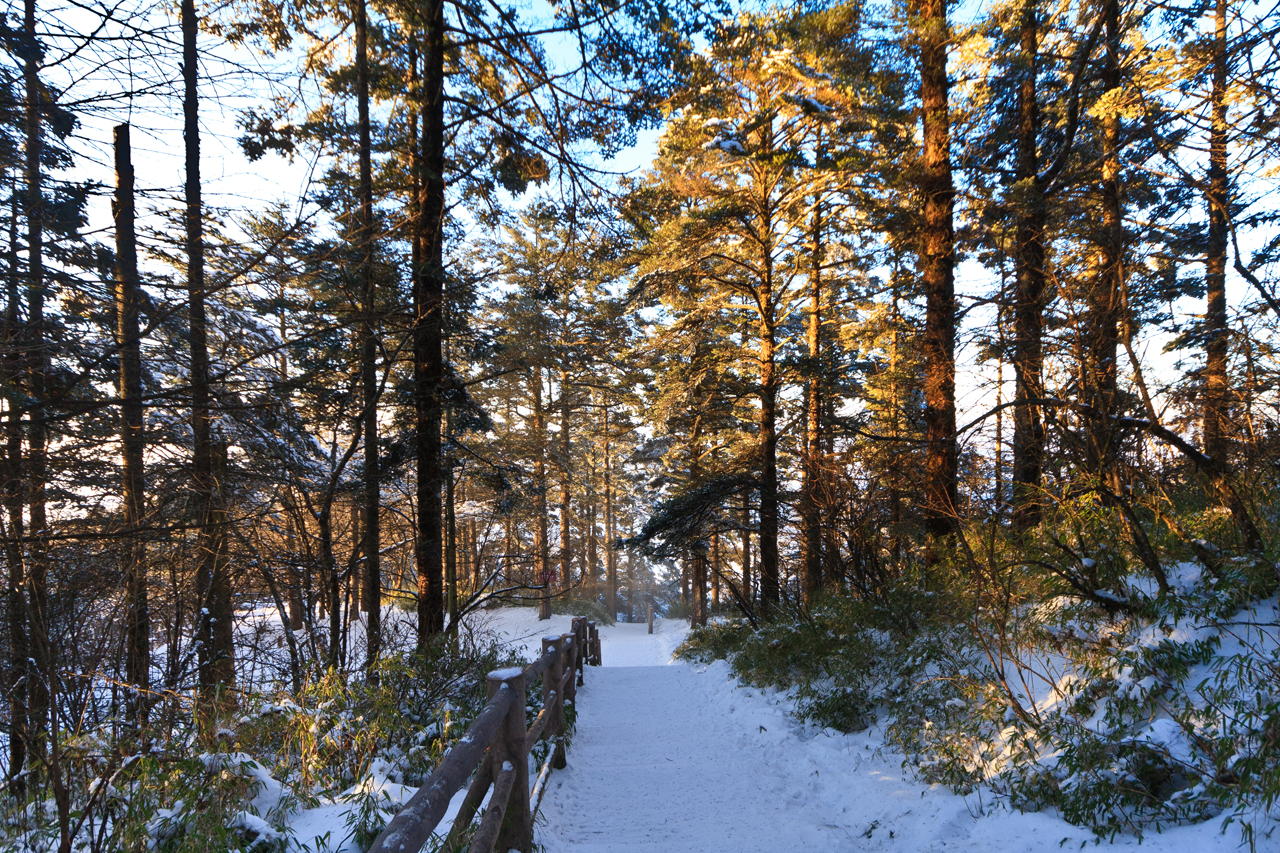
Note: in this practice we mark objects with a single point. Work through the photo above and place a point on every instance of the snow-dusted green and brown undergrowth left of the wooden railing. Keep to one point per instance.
(275, 755)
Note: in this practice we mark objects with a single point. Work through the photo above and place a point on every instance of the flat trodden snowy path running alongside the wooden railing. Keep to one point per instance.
(655, 767)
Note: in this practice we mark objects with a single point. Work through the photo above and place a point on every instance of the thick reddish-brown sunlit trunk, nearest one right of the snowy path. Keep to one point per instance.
(938, 273)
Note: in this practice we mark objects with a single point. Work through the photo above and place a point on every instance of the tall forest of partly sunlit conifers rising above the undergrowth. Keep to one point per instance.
(904, 299)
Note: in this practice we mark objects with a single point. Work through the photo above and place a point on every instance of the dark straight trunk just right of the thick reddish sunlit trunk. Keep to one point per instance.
(1030, 299)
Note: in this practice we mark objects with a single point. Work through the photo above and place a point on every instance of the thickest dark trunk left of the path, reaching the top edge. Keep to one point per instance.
(428, 334)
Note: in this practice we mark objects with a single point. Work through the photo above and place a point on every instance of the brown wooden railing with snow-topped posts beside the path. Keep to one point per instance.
(499, 743)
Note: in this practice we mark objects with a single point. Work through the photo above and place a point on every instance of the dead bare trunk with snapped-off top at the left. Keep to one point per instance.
(127, 340)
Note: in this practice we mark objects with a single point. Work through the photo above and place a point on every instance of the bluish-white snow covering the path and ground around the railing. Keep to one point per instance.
(670, 758)
